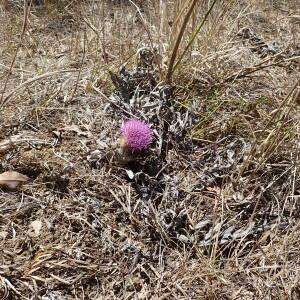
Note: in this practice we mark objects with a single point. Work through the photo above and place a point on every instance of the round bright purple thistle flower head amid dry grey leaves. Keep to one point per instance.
(136, 134)
